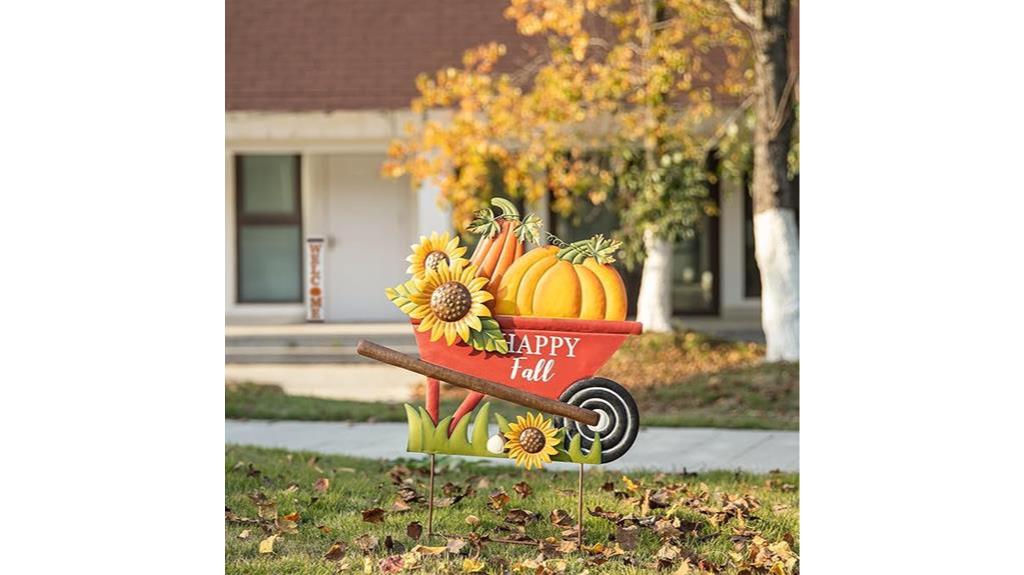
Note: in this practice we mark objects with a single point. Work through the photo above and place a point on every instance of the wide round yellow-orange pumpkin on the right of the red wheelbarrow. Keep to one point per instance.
(576, 281)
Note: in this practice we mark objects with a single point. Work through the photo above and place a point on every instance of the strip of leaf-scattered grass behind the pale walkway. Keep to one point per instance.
(678, 380)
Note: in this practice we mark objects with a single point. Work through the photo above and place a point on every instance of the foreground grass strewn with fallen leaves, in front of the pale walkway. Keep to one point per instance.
(328, 514)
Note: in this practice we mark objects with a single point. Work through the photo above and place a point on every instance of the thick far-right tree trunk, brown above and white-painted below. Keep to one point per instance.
(777, 244)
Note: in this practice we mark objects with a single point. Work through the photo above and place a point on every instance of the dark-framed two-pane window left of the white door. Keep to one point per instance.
(270, 229)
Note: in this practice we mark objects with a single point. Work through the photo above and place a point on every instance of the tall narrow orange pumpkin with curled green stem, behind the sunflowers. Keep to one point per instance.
(503, 241)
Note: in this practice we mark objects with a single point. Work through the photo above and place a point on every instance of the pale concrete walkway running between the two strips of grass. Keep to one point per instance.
(668, 450)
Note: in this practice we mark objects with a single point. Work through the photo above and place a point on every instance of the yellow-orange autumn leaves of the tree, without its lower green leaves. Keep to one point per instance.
(608, 79)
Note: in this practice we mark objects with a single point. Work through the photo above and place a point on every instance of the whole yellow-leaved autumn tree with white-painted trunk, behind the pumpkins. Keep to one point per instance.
(624, 105)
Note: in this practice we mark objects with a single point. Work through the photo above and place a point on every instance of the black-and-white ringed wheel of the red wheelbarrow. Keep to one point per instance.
(620, 417)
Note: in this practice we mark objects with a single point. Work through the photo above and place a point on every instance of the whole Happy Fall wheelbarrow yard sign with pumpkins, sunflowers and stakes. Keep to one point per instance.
(532, 328)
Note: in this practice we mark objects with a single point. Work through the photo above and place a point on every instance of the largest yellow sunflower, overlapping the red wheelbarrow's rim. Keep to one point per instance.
(450, 300)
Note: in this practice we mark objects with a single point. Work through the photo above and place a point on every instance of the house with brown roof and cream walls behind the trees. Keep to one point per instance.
(315, 93)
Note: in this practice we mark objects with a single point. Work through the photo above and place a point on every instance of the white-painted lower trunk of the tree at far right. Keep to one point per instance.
(778, 251)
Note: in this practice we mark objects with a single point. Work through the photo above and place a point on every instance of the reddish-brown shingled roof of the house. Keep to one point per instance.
(295, 56)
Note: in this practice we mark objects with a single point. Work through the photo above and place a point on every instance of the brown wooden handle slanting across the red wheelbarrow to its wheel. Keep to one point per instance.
(520, 397)
